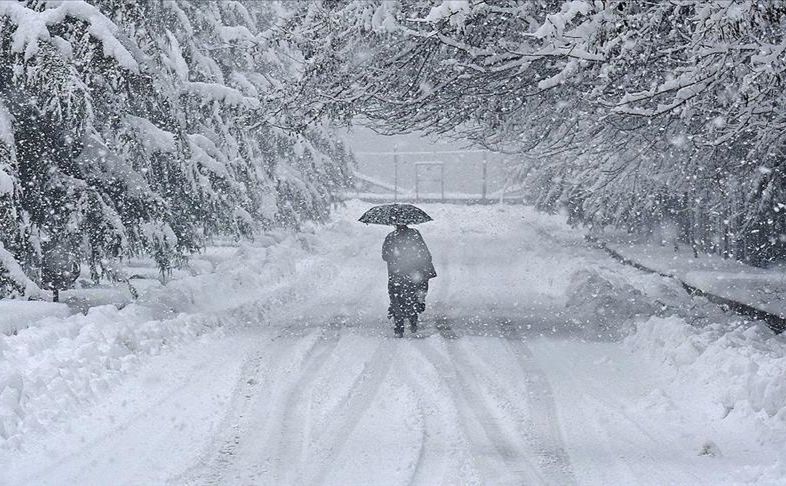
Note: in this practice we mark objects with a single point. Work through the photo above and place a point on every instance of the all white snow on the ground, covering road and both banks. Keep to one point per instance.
(540, 361)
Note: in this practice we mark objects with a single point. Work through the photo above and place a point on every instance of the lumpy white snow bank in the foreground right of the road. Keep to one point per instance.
(738, 368)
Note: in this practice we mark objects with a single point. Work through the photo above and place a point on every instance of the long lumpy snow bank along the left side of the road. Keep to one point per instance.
(54, 366)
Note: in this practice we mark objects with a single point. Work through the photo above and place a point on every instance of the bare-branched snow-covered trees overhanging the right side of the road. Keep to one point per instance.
(631, 113)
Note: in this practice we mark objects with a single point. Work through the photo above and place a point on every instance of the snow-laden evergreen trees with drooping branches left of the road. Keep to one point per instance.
(147, 127)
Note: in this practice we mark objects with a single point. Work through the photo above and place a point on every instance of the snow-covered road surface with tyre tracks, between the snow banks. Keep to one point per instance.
(308, 386)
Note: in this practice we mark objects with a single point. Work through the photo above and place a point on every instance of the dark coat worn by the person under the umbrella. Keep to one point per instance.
(407, 255)
